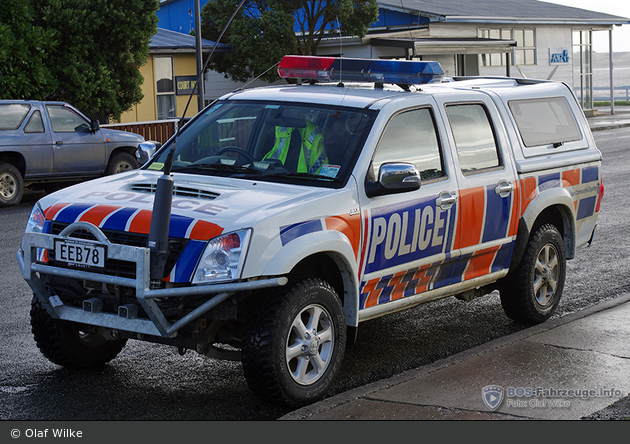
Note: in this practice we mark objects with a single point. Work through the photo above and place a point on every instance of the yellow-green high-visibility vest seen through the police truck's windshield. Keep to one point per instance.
(312, 155)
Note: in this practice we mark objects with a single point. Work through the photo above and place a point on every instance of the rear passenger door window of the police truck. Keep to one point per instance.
(474, 137)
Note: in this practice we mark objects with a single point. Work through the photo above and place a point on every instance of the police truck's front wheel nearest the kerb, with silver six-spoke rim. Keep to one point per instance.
(295, 343)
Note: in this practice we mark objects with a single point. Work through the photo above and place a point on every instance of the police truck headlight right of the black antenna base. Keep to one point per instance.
(223, 258)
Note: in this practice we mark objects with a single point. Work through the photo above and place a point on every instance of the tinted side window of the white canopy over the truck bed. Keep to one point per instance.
(546, 121)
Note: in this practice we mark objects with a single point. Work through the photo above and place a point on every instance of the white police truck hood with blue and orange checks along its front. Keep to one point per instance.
(203, 206)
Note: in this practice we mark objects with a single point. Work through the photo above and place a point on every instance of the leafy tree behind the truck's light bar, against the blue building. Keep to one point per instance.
(264, 30)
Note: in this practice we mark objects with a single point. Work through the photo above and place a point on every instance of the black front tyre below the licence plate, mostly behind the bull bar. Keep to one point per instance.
(70, 344)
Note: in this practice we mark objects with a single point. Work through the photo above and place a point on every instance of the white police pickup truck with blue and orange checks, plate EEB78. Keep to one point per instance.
(294, 213)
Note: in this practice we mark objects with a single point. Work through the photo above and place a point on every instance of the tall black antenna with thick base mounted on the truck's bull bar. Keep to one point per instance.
(161, 216)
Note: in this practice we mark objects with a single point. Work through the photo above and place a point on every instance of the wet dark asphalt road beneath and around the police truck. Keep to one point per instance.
(153, 382)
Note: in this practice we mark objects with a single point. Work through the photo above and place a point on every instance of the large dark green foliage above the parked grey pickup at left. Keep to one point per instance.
(93, 51)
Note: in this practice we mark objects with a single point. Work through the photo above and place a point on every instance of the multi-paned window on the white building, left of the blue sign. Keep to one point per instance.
(523, 54)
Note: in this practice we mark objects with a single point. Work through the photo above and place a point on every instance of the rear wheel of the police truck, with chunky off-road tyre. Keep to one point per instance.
(531, 294)
